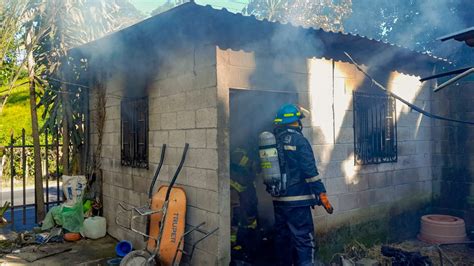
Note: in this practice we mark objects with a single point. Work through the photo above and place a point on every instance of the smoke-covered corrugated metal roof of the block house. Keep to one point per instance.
(191, 22)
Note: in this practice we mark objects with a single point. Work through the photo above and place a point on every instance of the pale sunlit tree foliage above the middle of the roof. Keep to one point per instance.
(326, 14)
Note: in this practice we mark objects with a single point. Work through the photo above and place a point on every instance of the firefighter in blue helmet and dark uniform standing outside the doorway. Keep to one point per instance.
(304, 189)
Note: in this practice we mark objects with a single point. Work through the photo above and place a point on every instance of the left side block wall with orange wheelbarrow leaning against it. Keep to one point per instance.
(182, 99)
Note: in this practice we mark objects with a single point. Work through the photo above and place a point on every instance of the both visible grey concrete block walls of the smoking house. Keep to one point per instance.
(189, 102)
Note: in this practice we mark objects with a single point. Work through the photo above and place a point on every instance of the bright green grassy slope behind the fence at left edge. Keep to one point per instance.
(16, 114)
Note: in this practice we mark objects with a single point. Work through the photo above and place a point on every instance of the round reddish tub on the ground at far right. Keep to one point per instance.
(440, 229)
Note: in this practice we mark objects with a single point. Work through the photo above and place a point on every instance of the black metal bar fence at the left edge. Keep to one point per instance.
(20, 175)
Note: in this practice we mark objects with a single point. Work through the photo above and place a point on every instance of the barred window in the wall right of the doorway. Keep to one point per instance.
(375, 128)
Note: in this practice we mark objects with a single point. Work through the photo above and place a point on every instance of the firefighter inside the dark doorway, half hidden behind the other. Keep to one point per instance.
(244, 205)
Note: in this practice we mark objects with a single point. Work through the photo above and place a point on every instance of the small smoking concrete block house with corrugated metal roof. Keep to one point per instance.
(214, 79)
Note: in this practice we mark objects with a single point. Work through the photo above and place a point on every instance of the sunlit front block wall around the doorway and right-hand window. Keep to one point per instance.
(359, 193)
